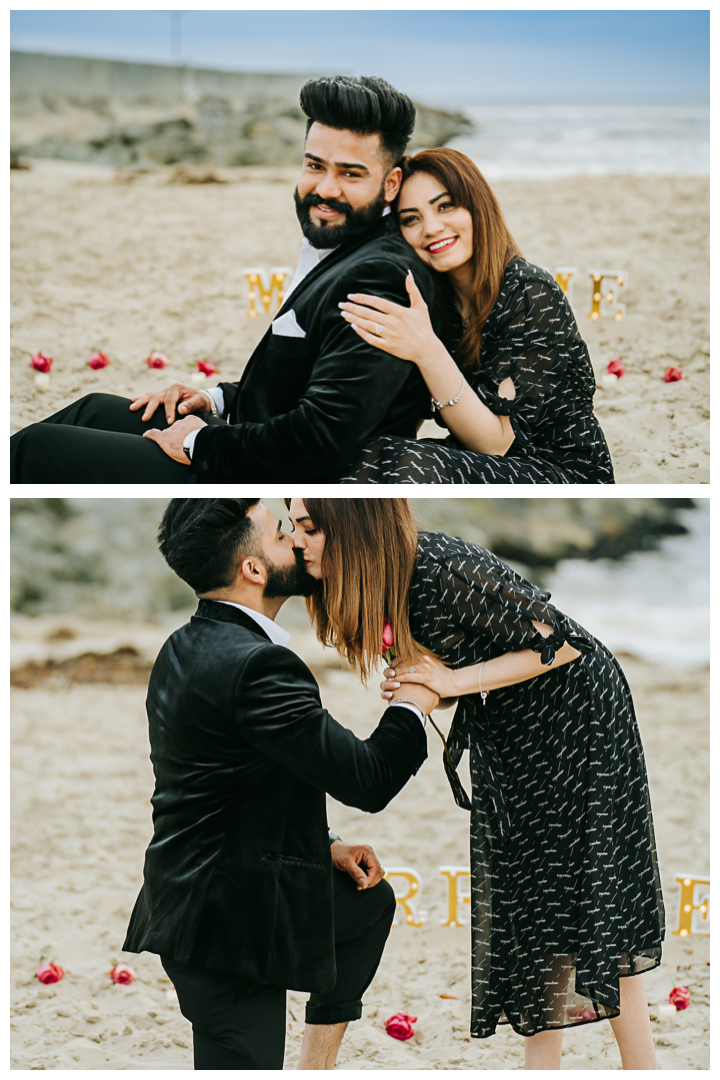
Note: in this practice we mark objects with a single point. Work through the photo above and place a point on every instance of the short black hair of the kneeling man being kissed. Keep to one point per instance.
(203, 541)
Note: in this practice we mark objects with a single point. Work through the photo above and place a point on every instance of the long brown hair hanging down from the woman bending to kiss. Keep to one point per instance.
(370, 556)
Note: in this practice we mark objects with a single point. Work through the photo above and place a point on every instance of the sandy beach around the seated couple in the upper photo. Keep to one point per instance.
(129, 263)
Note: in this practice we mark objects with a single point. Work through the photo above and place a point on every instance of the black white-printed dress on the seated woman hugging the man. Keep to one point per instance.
(532, 336)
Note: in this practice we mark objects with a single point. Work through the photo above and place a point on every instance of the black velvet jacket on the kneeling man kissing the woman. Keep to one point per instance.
(238, 876)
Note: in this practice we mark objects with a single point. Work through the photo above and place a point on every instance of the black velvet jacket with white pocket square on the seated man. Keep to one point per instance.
(306, 408)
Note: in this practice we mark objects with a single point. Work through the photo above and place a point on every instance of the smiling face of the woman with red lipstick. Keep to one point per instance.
(441, 233)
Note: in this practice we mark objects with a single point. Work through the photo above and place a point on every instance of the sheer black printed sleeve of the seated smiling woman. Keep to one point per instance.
(532, 337)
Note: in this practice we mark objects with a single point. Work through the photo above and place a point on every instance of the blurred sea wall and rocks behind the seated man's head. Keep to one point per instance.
(147, 115)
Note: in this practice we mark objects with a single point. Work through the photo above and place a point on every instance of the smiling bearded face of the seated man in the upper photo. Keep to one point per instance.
(344, 187)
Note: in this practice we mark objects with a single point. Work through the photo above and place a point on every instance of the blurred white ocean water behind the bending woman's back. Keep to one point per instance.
(654, 604)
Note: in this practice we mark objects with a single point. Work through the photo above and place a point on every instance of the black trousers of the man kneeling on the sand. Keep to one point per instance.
(239, 1024)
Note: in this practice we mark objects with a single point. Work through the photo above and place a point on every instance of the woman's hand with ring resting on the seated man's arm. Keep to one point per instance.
(406, 333)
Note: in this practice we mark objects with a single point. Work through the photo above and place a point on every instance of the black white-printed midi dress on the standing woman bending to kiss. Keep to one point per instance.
(566, 894)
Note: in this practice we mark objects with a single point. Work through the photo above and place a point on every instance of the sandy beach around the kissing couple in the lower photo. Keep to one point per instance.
(81, 785)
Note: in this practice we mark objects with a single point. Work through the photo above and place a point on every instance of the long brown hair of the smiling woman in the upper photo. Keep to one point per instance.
(494, 247)
